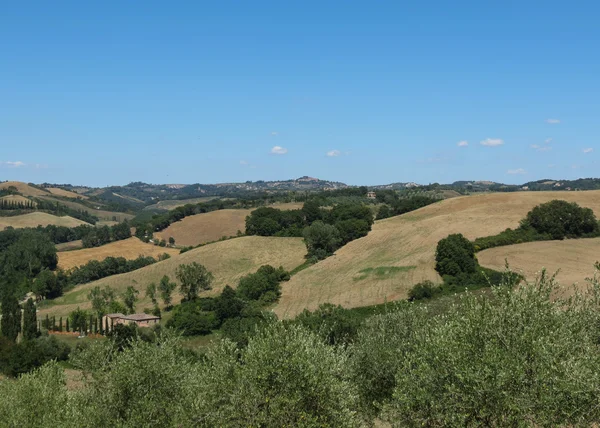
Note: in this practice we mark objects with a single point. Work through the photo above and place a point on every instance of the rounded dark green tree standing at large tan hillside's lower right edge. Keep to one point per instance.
(455, 255)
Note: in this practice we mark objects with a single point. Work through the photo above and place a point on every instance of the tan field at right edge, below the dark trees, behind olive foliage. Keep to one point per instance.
(574, 257)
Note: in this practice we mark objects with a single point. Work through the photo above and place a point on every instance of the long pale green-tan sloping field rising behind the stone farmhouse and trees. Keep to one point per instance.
(227, 260)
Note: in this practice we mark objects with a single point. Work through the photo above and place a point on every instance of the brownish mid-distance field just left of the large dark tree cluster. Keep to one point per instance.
(209, 227)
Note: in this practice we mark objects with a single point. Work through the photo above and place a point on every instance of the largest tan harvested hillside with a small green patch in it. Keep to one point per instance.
(400, 251)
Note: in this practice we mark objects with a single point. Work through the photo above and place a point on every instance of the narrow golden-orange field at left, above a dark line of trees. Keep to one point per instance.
(128, 248)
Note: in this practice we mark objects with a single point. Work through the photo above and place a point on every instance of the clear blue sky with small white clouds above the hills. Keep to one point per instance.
(110, 92)
